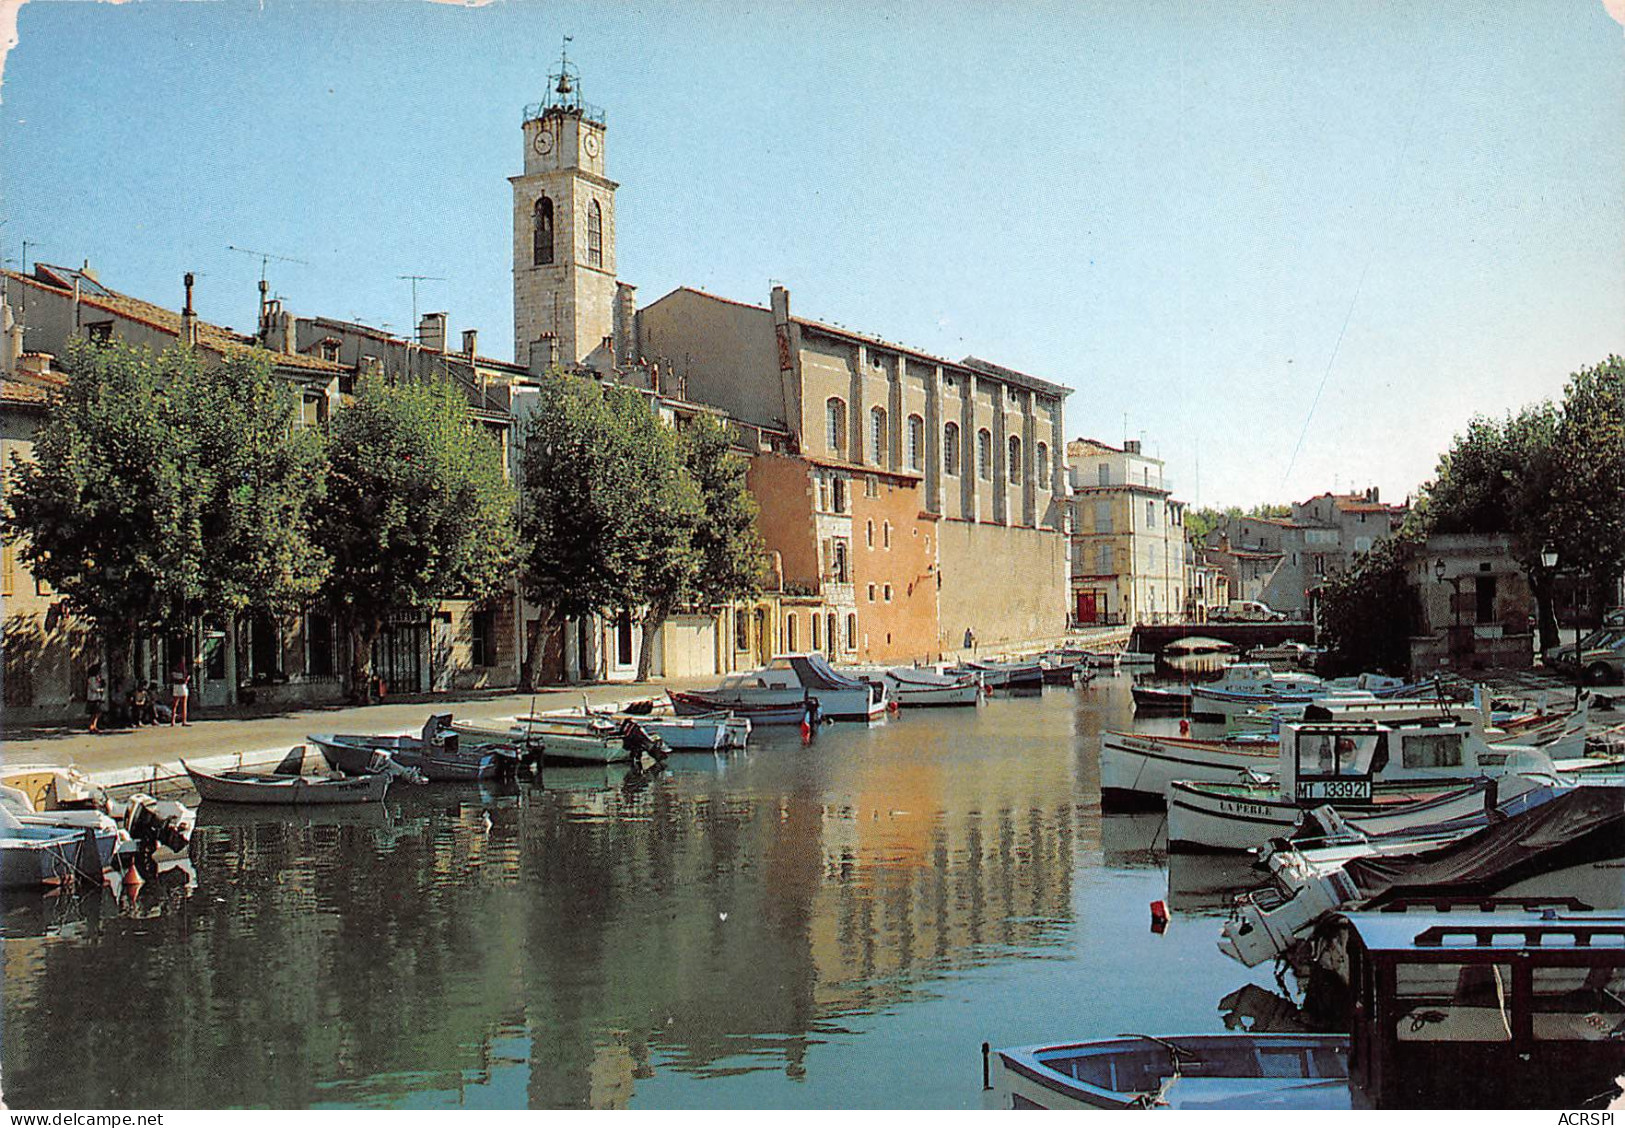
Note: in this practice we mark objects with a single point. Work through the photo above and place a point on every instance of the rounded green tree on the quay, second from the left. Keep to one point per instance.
(417, 510)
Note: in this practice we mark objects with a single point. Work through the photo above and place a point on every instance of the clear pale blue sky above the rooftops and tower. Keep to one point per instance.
(1174, 209)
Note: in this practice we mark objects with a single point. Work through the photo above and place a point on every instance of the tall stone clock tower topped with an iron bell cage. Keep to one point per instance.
(563, 233)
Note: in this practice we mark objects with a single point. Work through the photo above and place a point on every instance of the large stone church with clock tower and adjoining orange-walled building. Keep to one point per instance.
(908, 500)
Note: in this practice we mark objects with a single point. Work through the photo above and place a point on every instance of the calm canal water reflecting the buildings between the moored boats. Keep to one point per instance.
(836, 926)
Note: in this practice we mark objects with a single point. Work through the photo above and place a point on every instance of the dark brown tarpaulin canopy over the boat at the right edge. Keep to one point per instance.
(1577, 826)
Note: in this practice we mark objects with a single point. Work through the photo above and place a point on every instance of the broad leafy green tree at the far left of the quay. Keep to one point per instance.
(163, 488)
